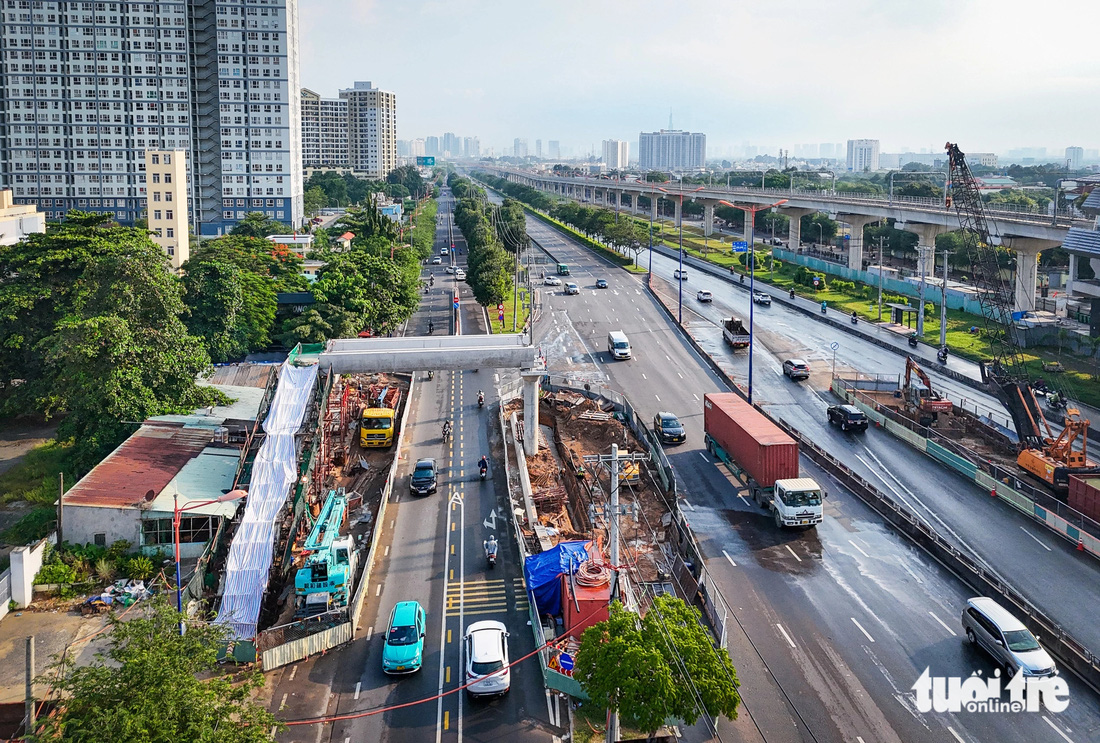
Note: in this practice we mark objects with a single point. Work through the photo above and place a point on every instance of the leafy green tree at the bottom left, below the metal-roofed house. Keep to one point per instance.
(146, 686)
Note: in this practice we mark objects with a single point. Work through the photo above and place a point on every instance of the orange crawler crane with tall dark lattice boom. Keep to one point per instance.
(1050, 458)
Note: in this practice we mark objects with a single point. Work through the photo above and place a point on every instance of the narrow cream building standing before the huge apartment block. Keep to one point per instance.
(167, 195)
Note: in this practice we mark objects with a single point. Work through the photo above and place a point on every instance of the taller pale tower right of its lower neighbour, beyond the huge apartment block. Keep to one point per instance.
(372, 130)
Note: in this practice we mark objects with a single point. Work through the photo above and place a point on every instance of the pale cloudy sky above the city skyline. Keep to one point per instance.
(992, 75)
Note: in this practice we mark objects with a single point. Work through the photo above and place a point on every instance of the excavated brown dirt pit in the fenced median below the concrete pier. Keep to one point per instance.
(571, 496)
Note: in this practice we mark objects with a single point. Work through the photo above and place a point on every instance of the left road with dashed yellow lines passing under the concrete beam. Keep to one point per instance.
(433, 553)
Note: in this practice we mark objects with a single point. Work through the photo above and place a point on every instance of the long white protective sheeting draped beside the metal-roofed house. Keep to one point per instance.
(274, 475)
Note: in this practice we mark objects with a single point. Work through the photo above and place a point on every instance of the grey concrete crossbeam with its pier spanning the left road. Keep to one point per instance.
(353, 356)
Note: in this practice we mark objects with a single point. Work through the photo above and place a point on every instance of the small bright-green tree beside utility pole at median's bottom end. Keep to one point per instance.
(652, 670)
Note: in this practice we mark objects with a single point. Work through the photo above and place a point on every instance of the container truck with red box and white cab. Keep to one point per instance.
(764, 457)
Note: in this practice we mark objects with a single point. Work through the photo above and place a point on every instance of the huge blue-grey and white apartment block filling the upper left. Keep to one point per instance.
(87, 89)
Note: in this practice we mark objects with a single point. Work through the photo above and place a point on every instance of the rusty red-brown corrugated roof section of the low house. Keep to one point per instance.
(147, 462)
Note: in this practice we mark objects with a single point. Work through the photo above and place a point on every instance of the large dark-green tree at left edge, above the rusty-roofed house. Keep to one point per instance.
(91, 327)
